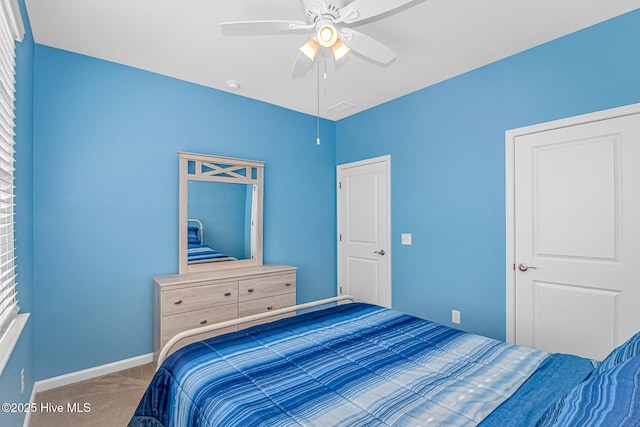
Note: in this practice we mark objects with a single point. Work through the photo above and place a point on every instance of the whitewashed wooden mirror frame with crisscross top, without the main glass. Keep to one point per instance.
(219, 169)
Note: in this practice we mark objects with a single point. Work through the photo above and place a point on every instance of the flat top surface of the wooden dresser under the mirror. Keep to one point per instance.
(229, 274)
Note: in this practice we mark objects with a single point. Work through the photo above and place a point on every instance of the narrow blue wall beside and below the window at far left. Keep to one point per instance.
(22, 356)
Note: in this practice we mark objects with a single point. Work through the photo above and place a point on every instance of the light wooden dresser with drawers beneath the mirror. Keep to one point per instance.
(186, 301)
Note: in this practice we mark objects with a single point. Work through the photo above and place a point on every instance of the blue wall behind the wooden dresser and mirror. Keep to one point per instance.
(106, 139)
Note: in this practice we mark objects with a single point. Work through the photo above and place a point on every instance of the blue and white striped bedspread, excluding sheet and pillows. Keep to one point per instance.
(349, 365)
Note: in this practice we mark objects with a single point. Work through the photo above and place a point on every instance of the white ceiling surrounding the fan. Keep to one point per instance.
(434, 40)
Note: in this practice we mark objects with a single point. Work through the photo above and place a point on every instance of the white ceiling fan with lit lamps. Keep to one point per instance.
(329, 21)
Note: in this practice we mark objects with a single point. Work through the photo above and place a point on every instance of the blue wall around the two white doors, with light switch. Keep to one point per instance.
(448, 165)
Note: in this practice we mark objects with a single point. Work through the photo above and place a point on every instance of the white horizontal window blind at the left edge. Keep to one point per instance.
(10, 30)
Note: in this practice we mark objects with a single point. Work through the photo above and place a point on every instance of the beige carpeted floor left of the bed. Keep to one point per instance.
(104, 401)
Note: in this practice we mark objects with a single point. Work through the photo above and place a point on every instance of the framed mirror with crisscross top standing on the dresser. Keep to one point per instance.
(220, 212)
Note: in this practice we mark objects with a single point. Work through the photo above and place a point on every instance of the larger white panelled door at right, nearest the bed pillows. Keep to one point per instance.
(577, 236)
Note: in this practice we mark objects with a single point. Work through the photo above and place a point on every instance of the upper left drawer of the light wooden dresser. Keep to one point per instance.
(198, 297)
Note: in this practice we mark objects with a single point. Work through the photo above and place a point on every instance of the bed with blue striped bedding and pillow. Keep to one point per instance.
(363, 365)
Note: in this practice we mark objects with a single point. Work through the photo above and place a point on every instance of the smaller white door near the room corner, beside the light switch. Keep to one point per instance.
(364, 253)
